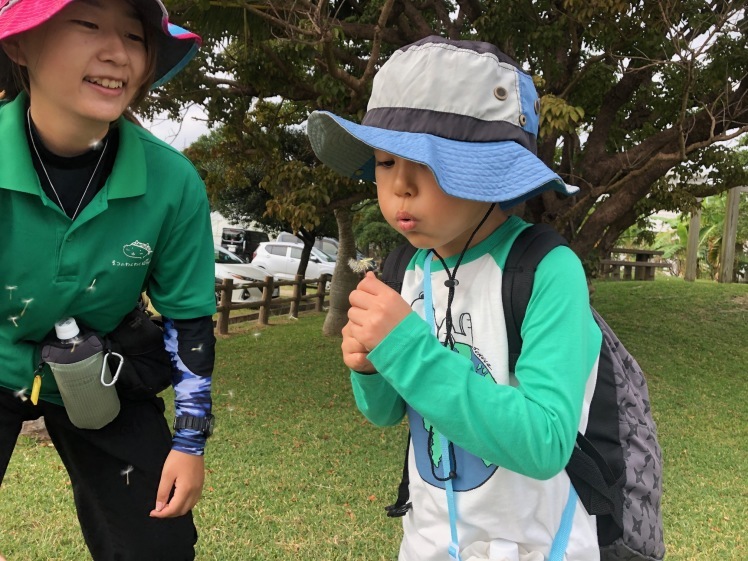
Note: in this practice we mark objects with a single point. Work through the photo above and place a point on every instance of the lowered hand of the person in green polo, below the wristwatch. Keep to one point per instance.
(185, 474)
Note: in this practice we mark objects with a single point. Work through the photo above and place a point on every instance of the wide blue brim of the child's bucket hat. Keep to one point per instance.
(498, 172)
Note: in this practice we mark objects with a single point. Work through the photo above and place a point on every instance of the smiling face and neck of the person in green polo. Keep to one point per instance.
(85, 64)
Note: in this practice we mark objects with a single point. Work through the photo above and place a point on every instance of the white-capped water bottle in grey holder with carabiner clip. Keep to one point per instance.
(78, 363)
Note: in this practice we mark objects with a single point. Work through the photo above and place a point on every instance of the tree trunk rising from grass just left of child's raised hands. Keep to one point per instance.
(344, 280)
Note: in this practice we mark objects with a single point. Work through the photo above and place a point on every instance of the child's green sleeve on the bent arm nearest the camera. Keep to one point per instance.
(531, 428)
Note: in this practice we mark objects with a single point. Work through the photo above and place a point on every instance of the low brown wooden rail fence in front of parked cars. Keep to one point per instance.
(313, 298)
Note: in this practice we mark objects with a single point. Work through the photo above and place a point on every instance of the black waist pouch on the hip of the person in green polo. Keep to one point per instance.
(146, 370)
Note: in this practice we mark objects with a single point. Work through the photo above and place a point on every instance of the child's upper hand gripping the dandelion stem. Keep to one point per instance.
(375, 311)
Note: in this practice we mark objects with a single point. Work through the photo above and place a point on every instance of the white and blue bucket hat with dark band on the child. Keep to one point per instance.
(463, 108)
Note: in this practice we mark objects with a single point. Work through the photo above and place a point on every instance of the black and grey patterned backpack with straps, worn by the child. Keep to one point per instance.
(616, 466)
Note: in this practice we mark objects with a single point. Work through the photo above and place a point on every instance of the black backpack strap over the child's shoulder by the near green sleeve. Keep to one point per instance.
(528, 250)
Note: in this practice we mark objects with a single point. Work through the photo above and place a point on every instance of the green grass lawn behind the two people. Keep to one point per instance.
(296, 472)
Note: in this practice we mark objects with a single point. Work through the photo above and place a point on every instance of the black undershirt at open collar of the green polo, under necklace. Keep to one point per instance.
(70, 175)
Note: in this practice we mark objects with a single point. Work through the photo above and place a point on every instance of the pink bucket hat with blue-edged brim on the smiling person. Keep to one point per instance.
(175, 46)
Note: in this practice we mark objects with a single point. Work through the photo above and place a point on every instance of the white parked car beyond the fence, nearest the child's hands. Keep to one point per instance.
(281, 259)
